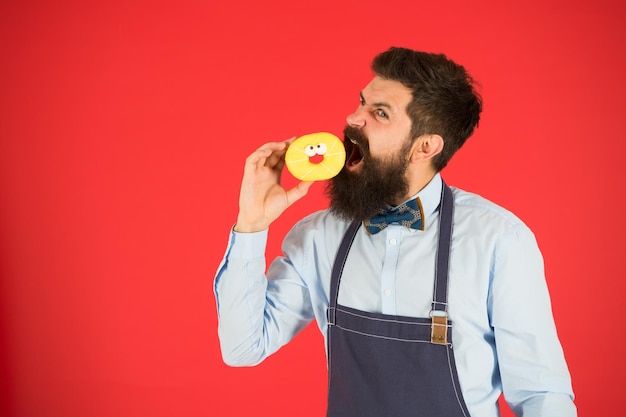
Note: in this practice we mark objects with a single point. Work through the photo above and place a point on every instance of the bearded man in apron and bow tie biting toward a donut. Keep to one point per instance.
(432, 300)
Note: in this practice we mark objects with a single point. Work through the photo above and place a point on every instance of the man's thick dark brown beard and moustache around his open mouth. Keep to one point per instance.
(360, 195)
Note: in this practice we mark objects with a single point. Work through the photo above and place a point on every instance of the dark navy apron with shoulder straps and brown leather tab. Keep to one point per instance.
(382, 365)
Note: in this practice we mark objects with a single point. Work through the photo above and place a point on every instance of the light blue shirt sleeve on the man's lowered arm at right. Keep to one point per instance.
(535, 378)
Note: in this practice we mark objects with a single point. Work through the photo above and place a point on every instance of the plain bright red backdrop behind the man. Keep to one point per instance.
(123, 130)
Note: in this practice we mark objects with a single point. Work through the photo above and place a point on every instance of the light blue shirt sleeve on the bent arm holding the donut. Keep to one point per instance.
(257, 313)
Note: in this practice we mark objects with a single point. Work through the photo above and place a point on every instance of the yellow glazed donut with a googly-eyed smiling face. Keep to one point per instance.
(316, 156)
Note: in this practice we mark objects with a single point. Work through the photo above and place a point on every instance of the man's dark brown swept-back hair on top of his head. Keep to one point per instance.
(444, 102)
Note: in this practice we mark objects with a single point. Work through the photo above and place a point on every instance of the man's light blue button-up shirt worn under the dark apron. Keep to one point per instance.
(504, 335)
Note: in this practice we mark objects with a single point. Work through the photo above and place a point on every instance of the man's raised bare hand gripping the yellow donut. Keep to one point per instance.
(262, 199)
